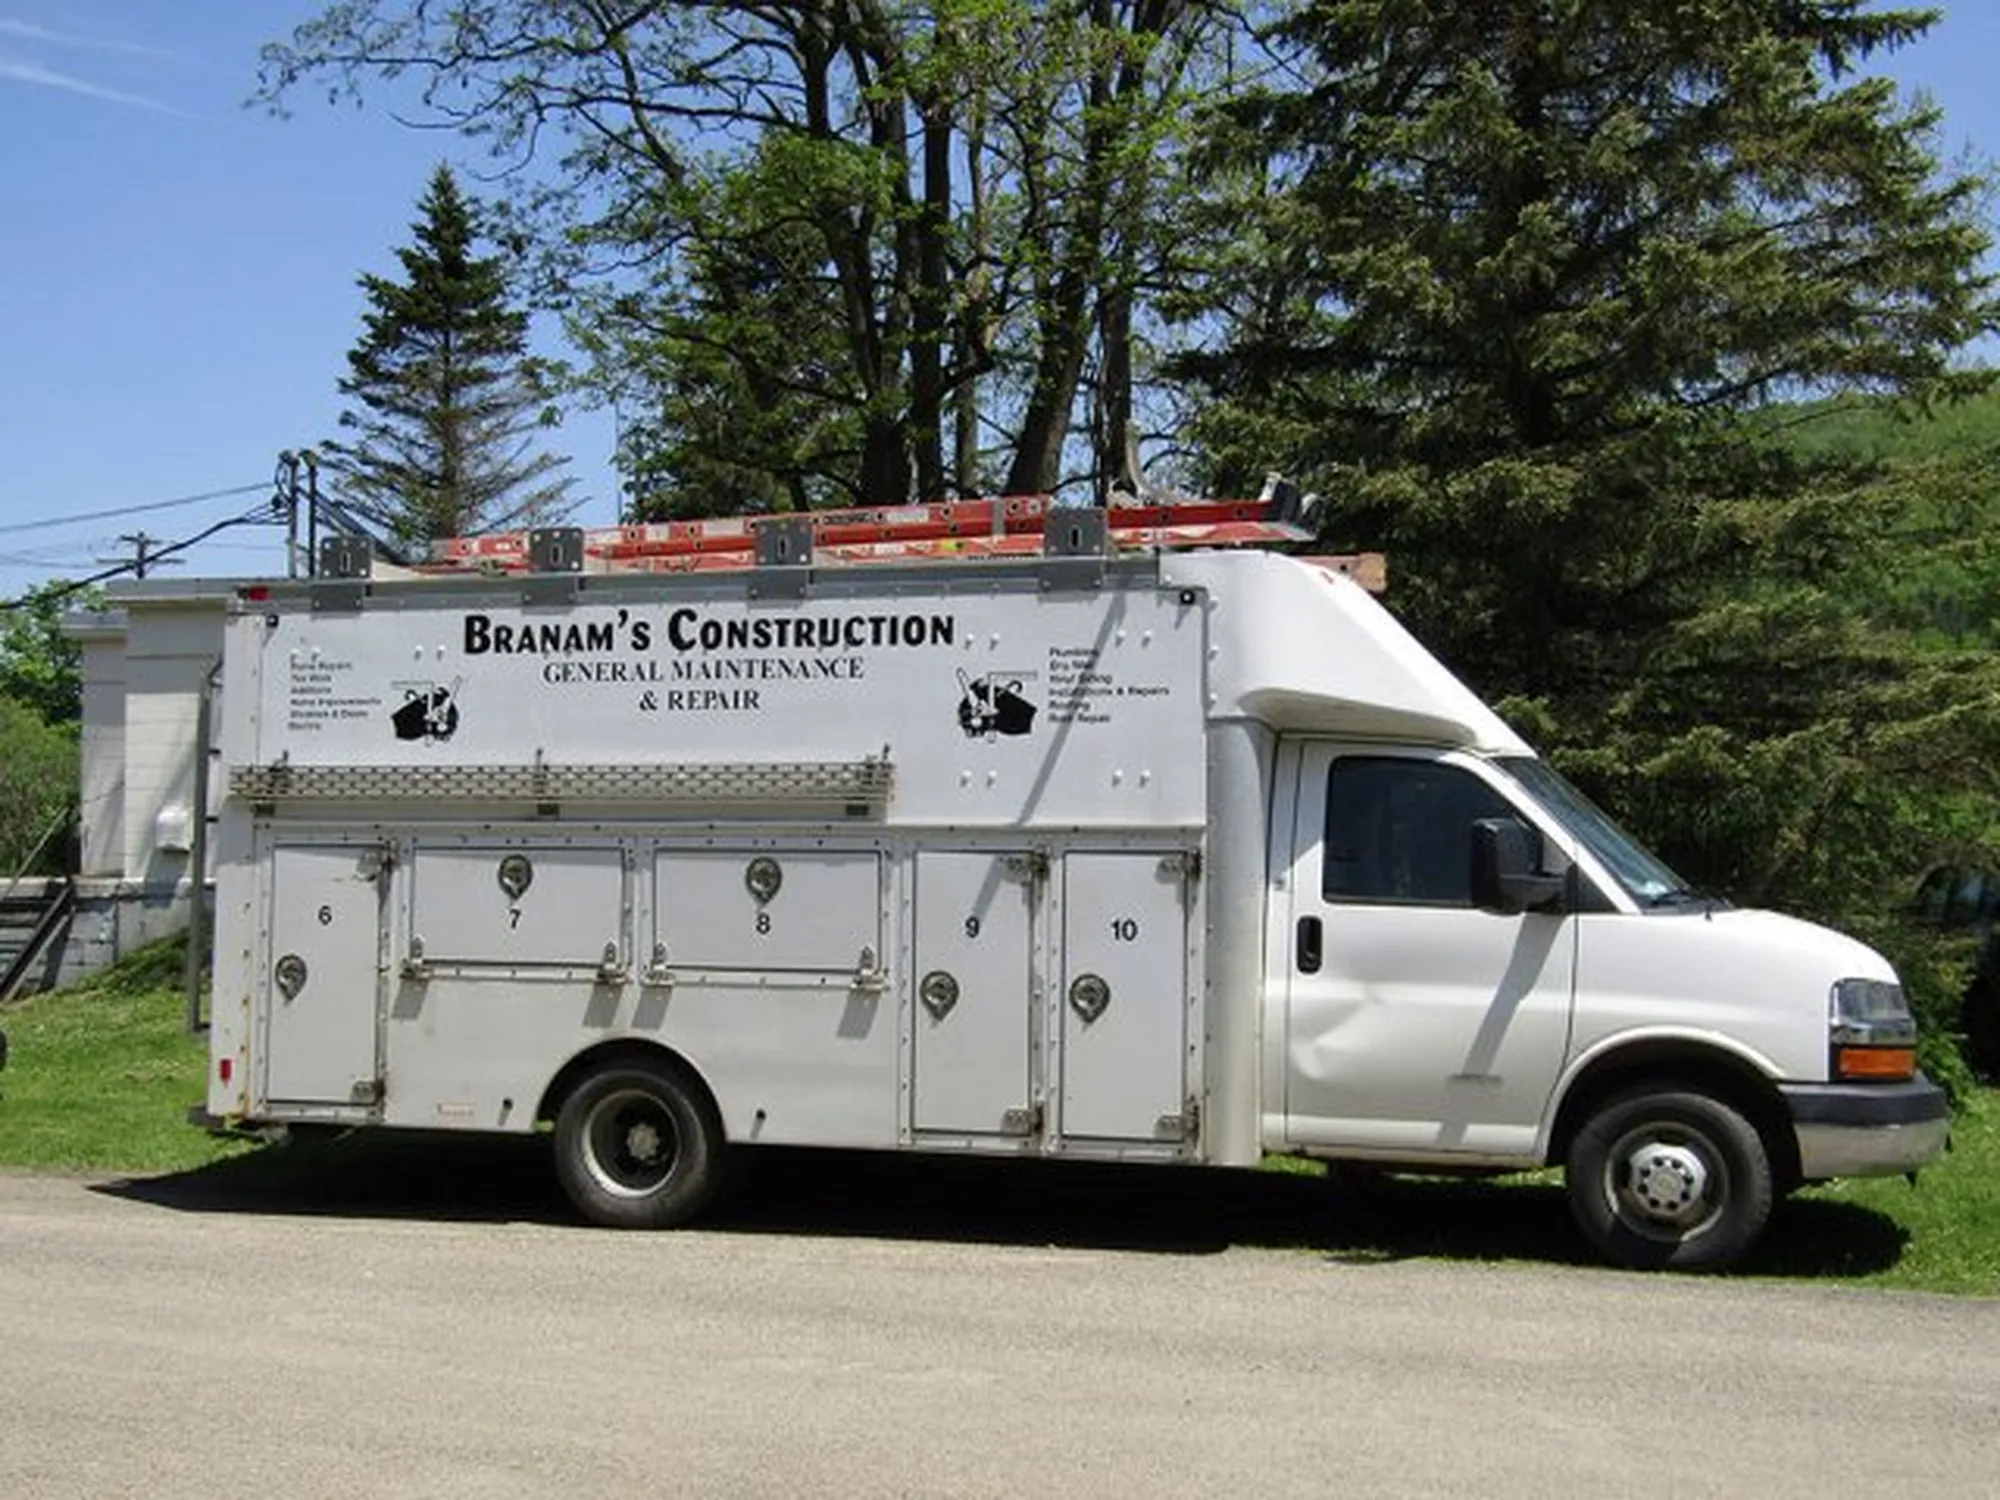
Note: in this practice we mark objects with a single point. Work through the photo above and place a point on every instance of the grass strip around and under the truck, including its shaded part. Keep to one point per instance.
(103, 1075)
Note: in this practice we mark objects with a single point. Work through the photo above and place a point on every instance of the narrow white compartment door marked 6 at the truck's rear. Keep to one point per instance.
(323, 977)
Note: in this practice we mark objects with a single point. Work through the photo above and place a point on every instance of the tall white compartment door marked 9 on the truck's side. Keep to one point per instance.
(975, 943)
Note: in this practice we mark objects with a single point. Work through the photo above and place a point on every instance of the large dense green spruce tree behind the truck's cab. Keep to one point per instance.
(1531, 291)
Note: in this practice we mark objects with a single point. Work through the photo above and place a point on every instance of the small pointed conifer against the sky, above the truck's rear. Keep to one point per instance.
(447, 395)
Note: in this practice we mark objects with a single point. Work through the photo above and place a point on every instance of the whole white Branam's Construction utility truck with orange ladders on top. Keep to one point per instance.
(1045, 847)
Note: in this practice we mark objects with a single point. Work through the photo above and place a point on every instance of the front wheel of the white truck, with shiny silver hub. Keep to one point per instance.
(1669, 1179)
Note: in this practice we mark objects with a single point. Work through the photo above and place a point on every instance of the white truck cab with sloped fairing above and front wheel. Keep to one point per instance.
(1469, 965)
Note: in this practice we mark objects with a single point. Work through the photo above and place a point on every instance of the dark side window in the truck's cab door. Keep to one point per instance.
(1401, 831)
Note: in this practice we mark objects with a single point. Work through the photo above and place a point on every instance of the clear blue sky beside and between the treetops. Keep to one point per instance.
(177, 271)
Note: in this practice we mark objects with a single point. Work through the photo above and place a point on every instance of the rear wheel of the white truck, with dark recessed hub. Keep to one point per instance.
(639, 1149)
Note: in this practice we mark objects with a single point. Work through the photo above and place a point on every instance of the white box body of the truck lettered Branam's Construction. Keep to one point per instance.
(993, 783)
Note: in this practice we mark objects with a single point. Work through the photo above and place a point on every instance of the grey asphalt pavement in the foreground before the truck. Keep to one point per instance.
(175, 1343)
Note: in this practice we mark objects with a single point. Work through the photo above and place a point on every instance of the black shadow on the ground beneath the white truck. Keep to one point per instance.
(1069, 1205)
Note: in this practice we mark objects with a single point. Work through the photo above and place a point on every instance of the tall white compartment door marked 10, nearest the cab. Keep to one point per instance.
(1125, 997)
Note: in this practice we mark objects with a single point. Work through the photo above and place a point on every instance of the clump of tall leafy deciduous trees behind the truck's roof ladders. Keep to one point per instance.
(853, 253)
